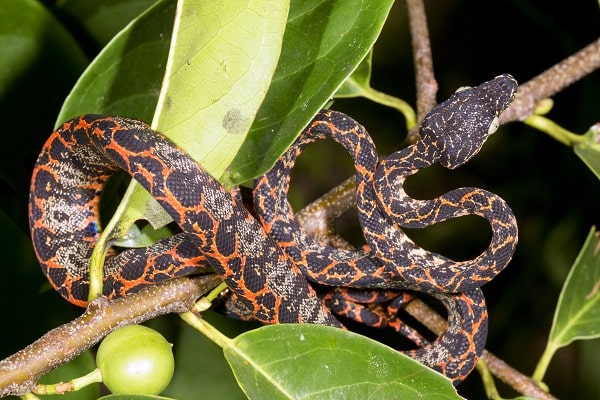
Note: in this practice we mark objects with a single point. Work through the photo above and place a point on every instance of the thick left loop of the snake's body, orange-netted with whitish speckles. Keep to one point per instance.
(70, 173)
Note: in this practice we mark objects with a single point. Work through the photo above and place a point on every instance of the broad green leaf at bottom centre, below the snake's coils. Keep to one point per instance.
(320, 362)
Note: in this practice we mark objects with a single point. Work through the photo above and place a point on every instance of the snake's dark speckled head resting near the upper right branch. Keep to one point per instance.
(459, 126)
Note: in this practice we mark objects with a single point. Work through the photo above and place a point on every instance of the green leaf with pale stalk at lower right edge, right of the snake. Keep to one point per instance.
(577, 314)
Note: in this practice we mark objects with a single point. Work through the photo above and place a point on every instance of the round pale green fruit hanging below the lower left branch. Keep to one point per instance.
(135, 360)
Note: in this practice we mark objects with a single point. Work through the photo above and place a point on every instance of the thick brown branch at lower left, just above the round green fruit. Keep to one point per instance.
(20, 371)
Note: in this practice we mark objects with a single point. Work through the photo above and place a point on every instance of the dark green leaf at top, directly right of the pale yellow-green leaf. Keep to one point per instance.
(324, 42)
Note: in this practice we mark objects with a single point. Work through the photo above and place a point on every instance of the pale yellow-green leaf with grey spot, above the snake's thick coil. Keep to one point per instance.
(222, 57)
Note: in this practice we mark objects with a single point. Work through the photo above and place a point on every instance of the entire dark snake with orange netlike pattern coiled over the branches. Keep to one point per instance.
(266, 266)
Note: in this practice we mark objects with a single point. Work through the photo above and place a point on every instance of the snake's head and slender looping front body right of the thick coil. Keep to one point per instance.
(452, 133)
